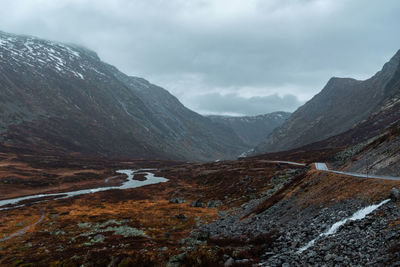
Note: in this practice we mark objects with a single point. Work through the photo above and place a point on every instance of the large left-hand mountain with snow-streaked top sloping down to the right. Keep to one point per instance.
(59, 98)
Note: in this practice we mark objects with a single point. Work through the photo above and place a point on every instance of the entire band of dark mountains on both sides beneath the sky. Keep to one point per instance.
(62, 99)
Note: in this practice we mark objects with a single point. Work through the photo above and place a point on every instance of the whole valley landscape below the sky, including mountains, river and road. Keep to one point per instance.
(99, 168)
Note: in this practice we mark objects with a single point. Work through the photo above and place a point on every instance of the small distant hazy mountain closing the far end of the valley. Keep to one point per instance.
(253, 129)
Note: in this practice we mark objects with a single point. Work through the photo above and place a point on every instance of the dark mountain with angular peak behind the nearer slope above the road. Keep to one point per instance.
(340, 106)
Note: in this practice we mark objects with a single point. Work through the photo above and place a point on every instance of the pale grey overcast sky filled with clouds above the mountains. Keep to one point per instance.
(223, 56)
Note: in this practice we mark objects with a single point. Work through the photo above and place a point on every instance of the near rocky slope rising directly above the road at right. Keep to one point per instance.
(372, 145)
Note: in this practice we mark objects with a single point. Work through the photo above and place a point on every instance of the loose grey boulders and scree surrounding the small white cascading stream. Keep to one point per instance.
(371, 241)
